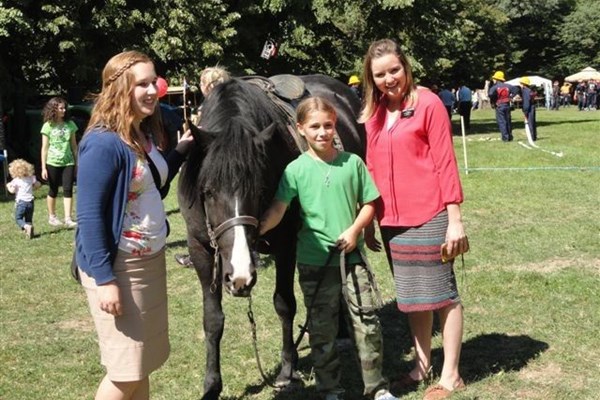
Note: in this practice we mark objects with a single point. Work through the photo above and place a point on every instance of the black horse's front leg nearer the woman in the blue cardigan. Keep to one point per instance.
(213, 321)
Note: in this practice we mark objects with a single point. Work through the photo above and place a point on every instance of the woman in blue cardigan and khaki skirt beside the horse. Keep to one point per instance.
(122, 230)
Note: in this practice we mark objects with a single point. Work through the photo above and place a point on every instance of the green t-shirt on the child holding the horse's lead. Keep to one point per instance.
(329, 195)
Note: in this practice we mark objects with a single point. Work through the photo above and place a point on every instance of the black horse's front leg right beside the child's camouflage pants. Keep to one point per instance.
(285, 306)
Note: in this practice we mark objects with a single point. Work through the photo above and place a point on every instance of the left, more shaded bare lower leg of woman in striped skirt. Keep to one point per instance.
(421, 324)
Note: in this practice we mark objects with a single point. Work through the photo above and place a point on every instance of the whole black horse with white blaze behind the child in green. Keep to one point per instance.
(228, 181)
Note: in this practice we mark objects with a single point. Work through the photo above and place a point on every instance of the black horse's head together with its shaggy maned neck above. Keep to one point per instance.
(235, 174)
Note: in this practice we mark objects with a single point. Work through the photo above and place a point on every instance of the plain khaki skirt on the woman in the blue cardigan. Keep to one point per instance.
(135, 343)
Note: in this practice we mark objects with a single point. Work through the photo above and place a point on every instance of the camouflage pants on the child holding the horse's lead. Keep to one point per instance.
(323, 325)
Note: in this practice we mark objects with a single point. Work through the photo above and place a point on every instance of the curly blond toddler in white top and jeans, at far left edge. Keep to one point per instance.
(22, 186)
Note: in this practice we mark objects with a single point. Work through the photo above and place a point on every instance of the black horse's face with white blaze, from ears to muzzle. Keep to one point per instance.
(232, 185)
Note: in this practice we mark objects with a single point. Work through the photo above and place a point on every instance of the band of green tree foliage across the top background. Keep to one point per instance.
(51, 46)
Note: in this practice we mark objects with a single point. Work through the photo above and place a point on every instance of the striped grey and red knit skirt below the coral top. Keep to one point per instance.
(423, 282)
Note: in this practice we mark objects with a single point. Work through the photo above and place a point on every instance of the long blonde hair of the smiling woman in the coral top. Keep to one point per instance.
(371, 95)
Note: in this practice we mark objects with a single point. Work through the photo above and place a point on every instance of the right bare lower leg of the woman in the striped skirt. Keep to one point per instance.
(451, 321)
